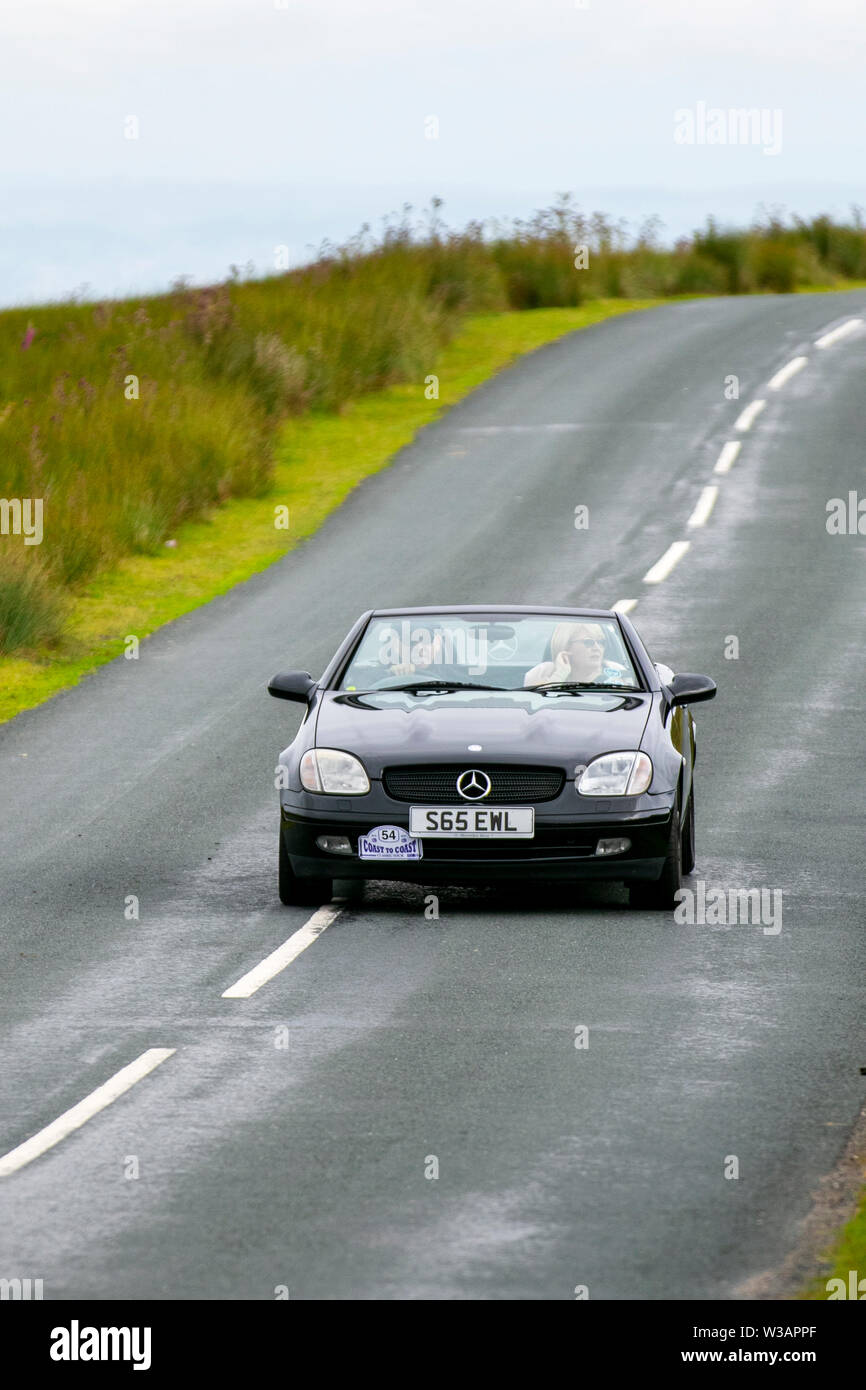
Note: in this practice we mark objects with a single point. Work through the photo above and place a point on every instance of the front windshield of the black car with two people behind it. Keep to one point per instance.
(500, 653)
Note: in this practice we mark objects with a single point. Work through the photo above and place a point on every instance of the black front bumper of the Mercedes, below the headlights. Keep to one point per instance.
(564, 849)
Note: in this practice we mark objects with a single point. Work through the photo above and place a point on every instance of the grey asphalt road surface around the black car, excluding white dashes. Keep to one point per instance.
(305, 1166)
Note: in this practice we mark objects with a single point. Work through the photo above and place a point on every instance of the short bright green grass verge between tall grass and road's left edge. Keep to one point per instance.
(318, 461)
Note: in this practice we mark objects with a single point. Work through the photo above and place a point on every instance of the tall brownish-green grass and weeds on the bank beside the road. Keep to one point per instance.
(129, 418)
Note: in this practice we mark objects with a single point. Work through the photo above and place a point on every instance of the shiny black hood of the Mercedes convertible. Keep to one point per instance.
(387, 730)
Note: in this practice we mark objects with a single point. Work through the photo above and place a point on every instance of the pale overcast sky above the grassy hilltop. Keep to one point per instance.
(270, 123)
